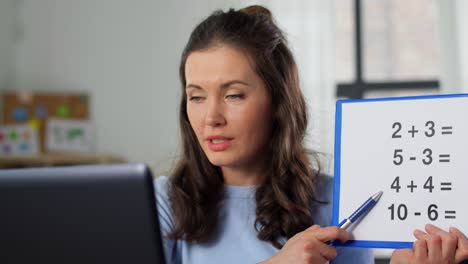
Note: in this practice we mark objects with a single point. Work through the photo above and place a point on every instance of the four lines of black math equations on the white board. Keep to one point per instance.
(427, 156)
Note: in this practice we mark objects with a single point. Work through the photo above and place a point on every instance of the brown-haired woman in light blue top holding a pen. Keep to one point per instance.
(244, 190)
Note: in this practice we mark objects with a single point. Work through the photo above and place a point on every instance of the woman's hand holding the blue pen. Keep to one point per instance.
(310, 246)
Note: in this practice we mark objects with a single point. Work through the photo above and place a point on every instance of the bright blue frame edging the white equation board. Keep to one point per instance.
(337, 168)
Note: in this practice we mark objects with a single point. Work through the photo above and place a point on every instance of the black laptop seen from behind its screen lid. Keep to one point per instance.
(79, 214)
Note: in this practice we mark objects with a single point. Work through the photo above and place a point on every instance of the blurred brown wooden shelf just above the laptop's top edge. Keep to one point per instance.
(58, 159)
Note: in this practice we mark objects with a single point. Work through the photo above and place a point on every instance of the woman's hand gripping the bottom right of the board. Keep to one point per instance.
(435, 246)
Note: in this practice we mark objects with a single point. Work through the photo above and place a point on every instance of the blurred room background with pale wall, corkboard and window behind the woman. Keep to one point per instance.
(98, 79)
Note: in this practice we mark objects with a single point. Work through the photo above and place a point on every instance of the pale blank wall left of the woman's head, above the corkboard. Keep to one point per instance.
(125, 54)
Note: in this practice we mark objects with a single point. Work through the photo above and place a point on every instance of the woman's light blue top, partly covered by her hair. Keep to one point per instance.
(235, 239)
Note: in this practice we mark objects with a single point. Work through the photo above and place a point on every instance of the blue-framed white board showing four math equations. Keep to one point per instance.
(415, 150)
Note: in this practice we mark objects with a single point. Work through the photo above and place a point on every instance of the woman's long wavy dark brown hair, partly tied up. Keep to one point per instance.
(284, 198)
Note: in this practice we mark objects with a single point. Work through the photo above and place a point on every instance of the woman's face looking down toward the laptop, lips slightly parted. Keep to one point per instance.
(228, 107)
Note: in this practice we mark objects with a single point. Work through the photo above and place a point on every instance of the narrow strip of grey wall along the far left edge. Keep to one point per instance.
(8, 13)
